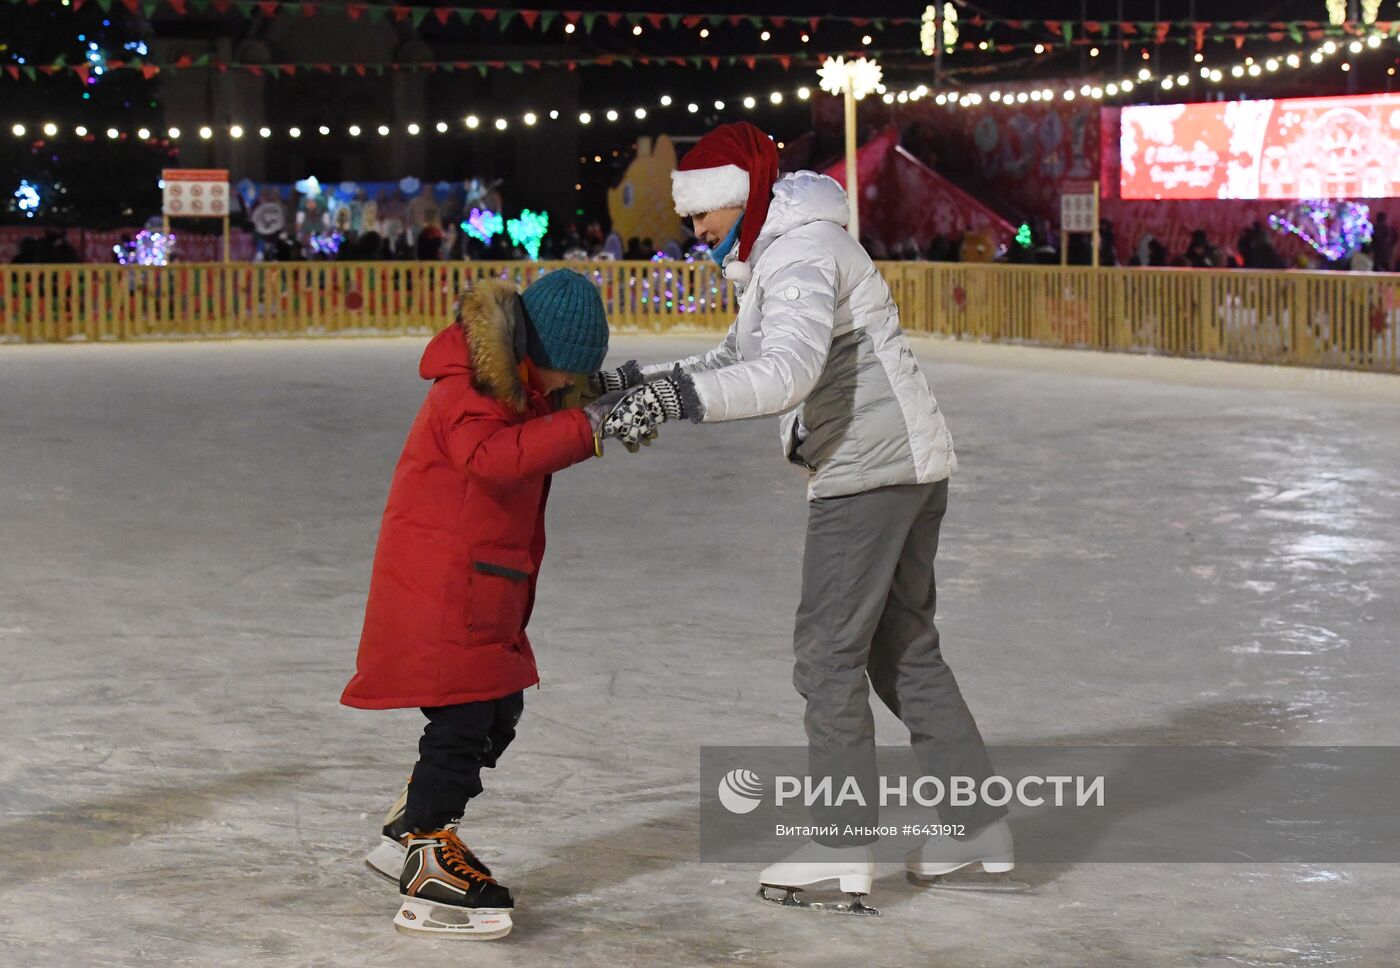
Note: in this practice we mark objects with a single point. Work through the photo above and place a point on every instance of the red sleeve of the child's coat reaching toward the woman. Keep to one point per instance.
(499, 455)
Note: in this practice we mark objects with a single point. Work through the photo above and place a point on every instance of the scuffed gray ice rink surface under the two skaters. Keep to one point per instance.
(1137, 551)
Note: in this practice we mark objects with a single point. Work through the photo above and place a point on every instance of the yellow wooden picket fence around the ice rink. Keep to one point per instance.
(1318, 319)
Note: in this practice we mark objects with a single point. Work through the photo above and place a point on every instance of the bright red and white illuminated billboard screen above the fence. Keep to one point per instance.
(1287, 149)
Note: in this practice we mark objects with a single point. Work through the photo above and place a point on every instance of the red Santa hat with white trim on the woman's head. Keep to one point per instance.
(734, 165)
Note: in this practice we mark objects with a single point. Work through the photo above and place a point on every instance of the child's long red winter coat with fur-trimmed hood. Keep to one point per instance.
(464, 530)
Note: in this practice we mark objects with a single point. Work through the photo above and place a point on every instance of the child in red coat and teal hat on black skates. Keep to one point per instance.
(454, 572)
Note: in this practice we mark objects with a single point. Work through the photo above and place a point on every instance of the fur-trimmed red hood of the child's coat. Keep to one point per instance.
(486, 341)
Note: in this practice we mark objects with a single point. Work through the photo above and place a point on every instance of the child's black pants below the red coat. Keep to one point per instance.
(457, 743)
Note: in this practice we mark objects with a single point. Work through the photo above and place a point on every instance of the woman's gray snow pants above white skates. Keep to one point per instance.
(867, 614)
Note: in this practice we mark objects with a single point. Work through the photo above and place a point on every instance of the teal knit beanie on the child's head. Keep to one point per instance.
(568, 326)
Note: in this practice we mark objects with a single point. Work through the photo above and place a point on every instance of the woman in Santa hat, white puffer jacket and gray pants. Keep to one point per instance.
(818, 340)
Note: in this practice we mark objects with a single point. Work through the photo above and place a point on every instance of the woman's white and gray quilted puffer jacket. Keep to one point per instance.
(818, 340)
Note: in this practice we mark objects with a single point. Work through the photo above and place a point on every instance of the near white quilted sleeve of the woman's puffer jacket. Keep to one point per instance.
(797, 317)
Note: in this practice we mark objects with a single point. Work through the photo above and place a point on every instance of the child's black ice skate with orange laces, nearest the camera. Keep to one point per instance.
(449, 893)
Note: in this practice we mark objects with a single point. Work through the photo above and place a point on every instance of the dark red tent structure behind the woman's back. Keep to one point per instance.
(905, 200)
